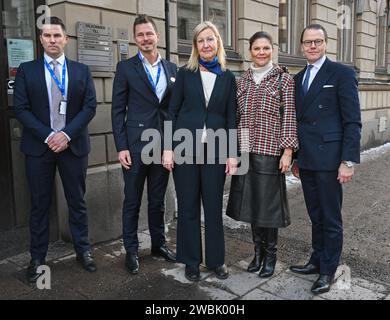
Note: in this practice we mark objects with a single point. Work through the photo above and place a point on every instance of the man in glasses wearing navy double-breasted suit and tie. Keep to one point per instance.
(329, 125)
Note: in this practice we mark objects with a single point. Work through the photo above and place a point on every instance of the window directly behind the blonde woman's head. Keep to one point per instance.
(191, 12)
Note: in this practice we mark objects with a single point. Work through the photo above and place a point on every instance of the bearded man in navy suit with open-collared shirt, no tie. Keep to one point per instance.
(141, 93)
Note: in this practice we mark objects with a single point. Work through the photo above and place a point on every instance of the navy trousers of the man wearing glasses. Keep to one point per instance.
(323, 196)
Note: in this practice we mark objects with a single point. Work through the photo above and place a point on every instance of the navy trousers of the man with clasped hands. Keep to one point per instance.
(40, 176)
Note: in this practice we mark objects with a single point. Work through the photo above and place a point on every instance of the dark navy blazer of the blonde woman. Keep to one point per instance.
(188, 110)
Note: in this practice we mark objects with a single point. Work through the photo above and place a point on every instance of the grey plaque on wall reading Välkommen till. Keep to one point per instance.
(95, 48)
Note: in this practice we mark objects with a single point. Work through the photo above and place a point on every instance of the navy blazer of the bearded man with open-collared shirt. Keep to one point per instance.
(135, 106)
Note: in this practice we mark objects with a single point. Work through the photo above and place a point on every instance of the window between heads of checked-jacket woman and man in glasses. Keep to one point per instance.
(293, 17)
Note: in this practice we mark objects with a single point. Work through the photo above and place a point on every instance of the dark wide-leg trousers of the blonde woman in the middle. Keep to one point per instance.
(195, 183)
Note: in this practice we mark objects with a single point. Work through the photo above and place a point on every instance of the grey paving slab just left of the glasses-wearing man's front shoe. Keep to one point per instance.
(288, 286)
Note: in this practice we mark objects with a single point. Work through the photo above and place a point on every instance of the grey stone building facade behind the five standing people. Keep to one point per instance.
(358, 36)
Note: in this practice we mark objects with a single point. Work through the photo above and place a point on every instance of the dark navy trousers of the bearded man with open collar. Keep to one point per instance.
(157, 180)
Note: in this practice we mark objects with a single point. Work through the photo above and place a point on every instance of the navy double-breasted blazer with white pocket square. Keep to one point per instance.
(329, 120)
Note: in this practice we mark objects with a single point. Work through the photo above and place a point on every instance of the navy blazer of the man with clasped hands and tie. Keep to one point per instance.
(32, 109)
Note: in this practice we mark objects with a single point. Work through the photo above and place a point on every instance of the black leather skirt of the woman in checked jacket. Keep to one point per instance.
(259, 197)
